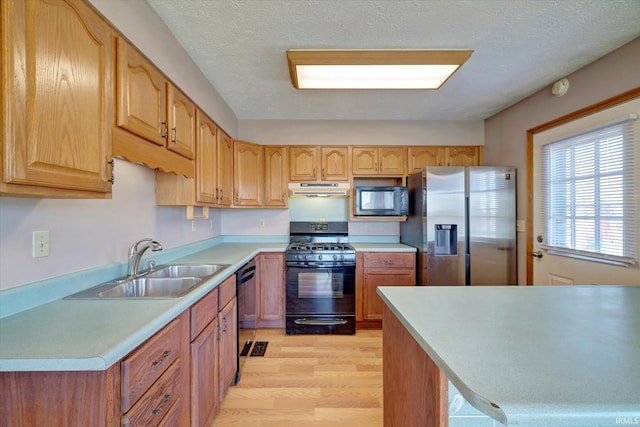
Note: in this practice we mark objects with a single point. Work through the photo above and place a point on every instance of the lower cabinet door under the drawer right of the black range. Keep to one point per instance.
(373, 278)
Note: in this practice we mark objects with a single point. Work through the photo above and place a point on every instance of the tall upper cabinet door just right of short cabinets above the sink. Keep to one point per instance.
(206, 159)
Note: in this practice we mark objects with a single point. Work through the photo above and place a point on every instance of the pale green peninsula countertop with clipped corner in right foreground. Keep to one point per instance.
(532, 356)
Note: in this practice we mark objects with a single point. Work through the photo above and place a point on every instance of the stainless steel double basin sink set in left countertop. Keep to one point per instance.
(170, 281)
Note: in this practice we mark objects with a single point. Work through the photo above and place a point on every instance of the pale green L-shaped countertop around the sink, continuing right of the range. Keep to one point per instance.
(69, 335)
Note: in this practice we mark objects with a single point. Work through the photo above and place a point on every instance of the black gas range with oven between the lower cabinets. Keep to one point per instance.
(320, 279)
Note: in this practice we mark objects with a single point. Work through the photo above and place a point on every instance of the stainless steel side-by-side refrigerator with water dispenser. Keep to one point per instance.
(462, 220)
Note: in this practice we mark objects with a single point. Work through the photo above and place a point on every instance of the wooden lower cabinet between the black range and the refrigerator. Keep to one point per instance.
(375, 269)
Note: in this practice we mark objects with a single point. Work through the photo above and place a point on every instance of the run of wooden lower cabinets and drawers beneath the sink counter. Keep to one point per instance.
(176, 378)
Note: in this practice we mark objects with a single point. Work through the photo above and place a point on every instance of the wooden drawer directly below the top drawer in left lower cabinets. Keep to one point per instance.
(158, 401)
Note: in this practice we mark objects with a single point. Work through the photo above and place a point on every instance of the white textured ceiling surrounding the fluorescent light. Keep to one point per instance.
(520, 46)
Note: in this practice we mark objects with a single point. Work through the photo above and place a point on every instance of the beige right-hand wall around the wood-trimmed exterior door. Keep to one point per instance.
(505, 132)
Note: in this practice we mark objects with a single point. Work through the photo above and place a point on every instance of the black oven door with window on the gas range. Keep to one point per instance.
(320, 290)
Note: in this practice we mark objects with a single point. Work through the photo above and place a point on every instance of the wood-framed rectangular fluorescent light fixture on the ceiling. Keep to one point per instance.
(373, 69)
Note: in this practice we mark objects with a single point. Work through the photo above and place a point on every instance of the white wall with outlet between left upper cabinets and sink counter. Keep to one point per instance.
(89, 233)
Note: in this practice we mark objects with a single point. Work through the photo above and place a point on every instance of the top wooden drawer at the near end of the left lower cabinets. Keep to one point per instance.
(145, 365)
